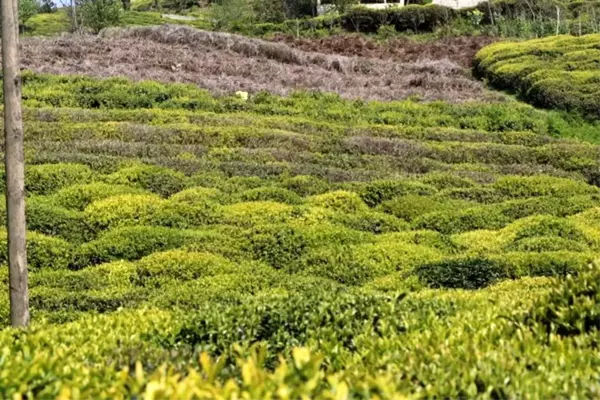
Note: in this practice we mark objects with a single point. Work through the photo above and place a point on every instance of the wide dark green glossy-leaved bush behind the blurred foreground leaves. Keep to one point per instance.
(293, 320)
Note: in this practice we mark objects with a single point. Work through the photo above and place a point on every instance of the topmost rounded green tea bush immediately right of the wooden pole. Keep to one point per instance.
(49, 178)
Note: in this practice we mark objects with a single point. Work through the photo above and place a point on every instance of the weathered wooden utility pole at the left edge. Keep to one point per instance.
(15, 166)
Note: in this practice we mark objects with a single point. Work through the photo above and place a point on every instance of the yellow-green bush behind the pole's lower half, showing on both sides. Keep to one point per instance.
(42, 251)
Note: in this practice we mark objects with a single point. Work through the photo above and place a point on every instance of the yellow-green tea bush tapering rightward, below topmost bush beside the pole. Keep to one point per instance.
(78, 197)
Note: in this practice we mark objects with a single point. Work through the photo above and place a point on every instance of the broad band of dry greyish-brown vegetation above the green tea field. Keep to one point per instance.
(224, 63)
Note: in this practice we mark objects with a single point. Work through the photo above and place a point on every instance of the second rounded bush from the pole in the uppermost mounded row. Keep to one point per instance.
(162, 181)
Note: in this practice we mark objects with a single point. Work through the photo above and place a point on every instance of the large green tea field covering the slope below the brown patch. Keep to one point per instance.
(187, 246)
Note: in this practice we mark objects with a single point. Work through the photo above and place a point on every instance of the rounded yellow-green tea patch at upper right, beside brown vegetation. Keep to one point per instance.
(556, 72)
